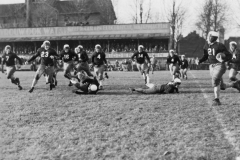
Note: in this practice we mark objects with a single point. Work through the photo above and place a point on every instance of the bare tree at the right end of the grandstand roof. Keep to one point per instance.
(176, 14)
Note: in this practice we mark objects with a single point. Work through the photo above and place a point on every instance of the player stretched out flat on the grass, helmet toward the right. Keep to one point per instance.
(170, 87)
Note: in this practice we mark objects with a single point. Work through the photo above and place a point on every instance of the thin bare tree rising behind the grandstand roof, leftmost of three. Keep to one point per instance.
(141, 11)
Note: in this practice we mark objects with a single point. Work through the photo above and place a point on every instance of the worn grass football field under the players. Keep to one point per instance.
(116, 124)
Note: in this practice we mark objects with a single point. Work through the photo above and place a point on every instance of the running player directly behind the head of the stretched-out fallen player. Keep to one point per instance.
(173, 62)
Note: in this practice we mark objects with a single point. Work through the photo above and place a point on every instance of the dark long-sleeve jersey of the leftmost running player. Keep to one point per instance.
(9, 59)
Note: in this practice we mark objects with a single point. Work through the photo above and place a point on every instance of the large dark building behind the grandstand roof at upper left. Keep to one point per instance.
(45, 13)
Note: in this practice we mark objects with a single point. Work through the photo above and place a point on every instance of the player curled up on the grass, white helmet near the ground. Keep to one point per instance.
(85, 84)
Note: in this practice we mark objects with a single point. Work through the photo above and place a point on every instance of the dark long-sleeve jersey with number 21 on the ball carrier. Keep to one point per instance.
(211, 51)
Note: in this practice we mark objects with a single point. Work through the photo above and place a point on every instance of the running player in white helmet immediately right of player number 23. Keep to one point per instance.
(68, 57)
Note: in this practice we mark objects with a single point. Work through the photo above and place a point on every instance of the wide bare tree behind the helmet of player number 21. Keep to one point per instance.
(212, 16)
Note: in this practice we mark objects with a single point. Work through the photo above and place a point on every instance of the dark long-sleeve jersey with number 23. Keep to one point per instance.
(45, 56)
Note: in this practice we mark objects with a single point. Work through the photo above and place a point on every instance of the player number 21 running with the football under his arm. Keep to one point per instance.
(217, 54)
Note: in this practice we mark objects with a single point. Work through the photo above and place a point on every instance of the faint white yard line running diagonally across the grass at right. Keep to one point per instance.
(229, 135)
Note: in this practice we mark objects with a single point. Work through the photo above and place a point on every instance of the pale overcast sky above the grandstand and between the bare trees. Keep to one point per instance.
(124, 12)
